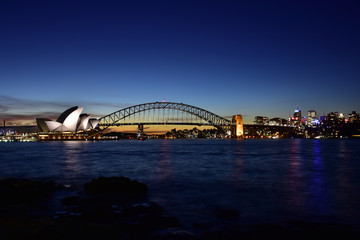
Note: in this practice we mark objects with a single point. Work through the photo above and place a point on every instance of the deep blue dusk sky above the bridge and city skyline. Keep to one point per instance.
(229, 57)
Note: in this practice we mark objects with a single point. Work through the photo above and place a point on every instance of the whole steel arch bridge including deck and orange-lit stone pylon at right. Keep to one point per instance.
(171, 113)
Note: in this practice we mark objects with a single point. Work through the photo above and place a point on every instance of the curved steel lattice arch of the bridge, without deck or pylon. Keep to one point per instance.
(213, 119)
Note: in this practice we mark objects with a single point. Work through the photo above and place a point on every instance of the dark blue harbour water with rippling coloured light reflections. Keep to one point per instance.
(261, 180)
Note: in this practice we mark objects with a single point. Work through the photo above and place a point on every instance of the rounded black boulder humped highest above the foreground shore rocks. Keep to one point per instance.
(115, 185)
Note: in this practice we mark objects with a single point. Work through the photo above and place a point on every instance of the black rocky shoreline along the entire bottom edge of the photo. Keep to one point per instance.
(118, 208)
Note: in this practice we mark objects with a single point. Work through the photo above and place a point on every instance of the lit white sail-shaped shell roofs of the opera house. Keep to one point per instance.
(69, 121)
